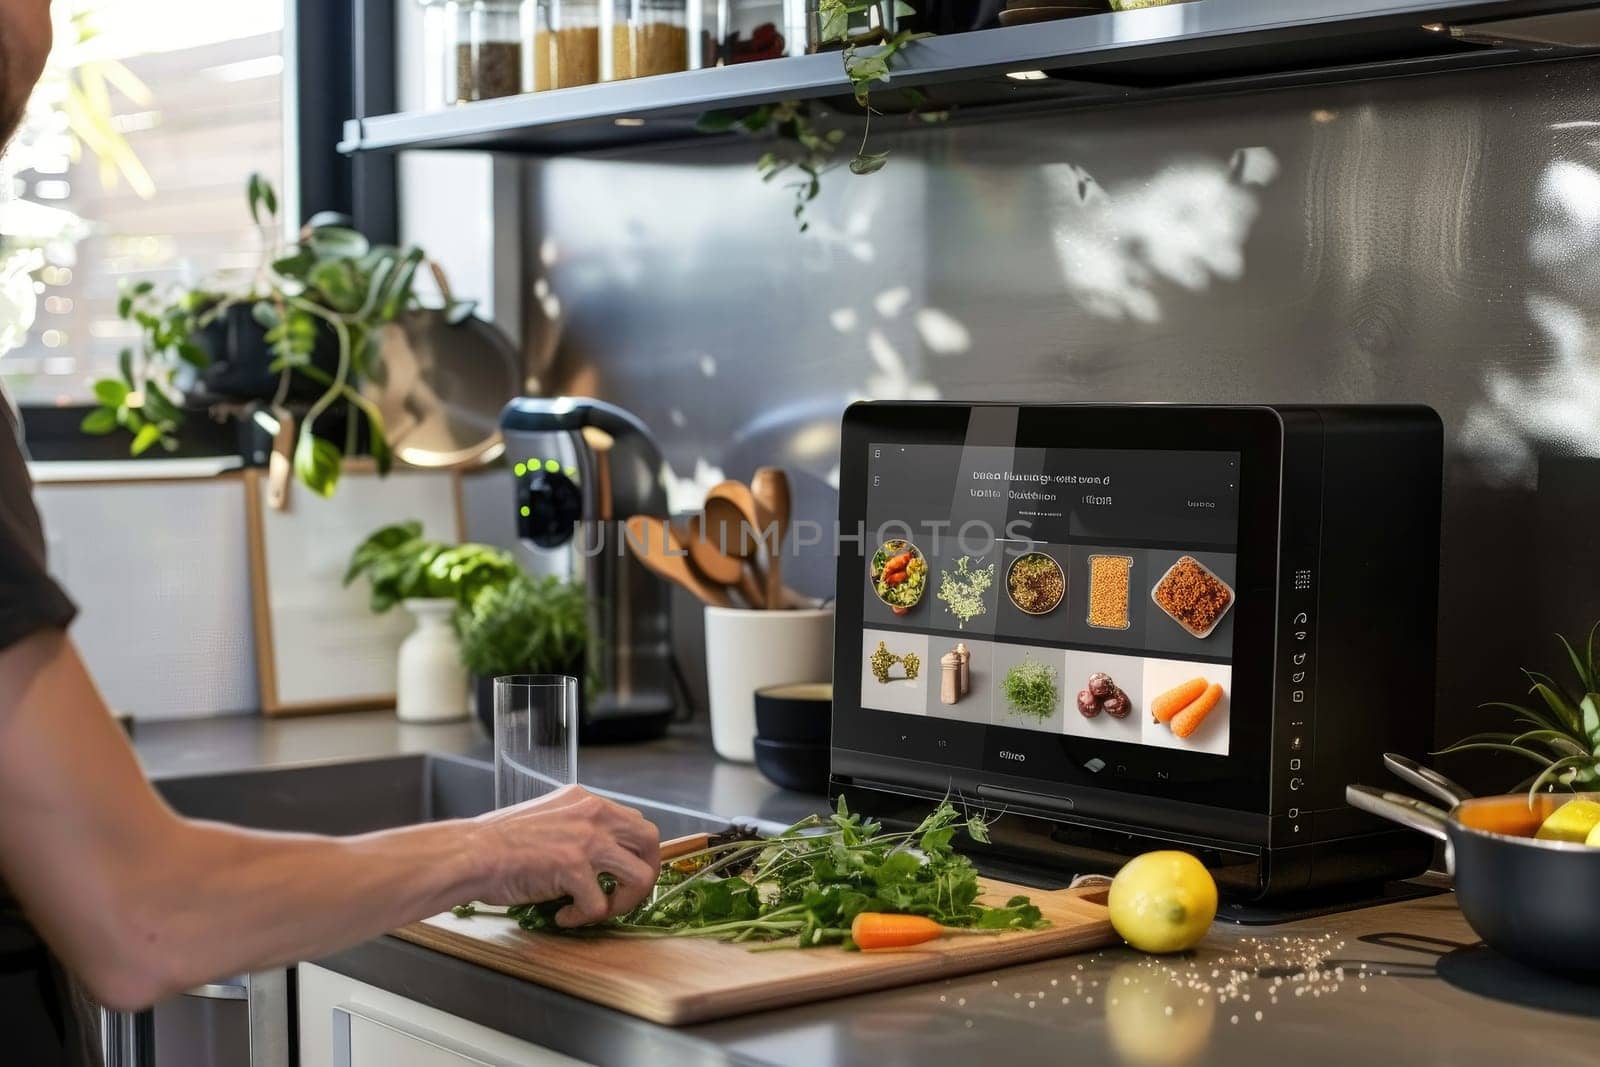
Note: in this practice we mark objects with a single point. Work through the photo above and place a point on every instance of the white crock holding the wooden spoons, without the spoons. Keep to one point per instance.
(753, 650)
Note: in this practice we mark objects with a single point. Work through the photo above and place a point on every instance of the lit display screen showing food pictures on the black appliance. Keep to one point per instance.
(1078, 593)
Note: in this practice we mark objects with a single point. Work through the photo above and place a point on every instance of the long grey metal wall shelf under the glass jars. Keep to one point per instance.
(1206, 46)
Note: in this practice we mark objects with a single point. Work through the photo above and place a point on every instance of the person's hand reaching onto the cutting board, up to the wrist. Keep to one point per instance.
(559, 845)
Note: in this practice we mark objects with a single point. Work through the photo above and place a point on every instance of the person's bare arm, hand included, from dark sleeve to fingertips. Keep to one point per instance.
(142, 903)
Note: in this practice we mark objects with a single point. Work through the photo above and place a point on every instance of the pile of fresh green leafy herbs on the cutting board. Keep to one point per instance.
(804, 887)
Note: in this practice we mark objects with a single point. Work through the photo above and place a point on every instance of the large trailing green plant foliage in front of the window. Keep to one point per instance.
(330, 282)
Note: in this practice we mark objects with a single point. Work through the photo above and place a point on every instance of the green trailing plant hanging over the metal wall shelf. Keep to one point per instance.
(806, 146)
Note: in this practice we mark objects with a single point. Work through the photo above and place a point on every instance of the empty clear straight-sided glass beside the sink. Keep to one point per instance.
(535, 737)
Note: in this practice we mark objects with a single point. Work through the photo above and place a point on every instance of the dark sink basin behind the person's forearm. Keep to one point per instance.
(367, 796)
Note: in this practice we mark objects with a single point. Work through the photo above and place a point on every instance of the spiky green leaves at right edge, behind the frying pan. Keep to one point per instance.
(1562, 727)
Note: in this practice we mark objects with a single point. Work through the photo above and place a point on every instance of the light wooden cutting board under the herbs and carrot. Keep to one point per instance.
(689, 980)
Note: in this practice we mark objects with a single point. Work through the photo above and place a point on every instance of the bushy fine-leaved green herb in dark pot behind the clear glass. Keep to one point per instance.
(524, 626)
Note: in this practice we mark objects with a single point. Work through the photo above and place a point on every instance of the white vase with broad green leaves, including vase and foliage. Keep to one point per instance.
(433, 581)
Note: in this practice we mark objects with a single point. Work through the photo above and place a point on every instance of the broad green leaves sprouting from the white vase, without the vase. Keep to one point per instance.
(402, 564)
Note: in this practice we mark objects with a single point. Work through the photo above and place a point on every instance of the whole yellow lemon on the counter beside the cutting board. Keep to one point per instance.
(1162, 901)
